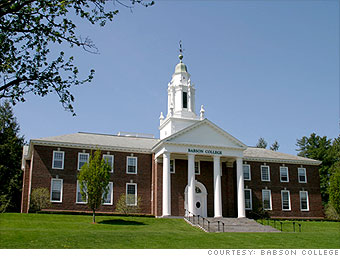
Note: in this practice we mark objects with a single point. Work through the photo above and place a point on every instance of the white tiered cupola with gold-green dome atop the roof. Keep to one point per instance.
(181, 102)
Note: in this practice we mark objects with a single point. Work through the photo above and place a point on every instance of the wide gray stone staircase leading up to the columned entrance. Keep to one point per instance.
(228, 225)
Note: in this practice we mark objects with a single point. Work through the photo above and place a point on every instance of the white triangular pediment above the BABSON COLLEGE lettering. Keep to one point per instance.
(205, 133)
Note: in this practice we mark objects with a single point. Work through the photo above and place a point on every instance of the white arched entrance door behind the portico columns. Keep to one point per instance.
(200, 204)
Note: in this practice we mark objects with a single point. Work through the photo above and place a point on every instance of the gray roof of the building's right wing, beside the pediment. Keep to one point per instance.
(252, 153)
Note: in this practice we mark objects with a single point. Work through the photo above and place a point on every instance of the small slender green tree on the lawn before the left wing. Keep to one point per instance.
(94, 180)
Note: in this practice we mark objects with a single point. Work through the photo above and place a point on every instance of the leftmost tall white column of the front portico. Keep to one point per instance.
(166, 185)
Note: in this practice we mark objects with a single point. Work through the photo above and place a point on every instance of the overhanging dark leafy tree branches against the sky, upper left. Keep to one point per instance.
(28, 28)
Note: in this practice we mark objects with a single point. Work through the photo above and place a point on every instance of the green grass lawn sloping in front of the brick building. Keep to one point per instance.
(76, 231)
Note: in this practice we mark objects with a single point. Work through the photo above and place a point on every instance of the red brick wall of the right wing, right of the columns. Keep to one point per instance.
(312, 186)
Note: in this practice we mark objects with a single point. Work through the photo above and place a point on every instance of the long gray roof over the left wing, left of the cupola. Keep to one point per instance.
(103, 140)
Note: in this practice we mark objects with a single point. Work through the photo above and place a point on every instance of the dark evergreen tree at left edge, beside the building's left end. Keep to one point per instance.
(11, 144)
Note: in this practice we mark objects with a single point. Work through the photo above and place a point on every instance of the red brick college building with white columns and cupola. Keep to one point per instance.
(194, 166)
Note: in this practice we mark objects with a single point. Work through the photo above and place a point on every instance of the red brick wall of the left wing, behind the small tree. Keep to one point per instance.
(43, 172)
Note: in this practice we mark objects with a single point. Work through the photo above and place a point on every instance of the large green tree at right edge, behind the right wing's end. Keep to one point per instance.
(323, 149)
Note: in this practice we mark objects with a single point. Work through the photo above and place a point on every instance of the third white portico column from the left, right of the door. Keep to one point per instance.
(217, 188)
